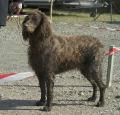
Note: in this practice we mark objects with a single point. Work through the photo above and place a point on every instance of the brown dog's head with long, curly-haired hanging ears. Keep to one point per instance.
(37, 24)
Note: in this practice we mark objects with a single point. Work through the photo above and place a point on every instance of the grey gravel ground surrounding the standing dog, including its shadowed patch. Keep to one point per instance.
(71, 88)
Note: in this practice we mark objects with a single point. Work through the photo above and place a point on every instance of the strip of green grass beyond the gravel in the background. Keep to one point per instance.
(69, 16)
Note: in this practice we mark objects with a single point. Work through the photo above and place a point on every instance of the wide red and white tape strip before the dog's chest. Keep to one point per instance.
(14, 76)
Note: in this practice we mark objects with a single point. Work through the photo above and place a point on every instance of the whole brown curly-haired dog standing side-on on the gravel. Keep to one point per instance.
(50, 54)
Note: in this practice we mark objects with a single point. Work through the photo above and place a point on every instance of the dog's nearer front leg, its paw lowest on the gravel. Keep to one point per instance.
(50, 84)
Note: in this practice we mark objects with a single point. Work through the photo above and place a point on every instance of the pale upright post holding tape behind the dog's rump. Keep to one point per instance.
(110, 68)
